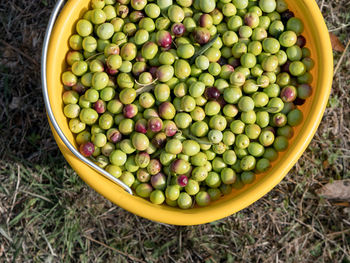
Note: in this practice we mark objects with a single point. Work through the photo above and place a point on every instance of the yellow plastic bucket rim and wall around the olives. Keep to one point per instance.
(318, 42)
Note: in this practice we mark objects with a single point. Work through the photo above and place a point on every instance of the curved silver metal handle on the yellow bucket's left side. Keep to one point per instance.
(49, 28)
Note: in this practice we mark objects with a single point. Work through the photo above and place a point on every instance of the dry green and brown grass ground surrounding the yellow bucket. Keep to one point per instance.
(47, 214)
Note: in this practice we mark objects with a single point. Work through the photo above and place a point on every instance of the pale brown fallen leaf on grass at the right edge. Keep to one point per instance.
(338, 190)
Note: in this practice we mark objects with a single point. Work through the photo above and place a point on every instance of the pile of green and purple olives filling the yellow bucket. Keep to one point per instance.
(185, 100)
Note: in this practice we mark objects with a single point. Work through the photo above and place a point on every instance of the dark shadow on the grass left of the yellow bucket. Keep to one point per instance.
(25, 134)
